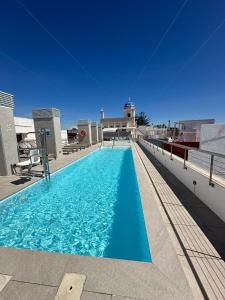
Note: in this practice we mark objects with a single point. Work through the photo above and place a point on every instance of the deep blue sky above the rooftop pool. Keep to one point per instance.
(85, 55)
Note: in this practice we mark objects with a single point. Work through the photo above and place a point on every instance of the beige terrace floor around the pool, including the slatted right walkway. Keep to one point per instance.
(176, 240)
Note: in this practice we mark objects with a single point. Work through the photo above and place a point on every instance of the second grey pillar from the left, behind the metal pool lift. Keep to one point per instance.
(49, 119)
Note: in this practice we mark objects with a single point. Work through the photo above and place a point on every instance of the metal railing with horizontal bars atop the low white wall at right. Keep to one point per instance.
(211, 162)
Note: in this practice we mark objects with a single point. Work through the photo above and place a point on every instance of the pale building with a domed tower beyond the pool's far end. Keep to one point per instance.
(125, 123)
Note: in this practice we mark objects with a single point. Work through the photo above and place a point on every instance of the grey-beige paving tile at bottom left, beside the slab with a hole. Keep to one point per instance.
(26, 291)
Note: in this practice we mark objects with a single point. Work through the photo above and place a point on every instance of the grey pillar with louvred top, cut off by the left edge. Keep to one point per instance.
(8, 141)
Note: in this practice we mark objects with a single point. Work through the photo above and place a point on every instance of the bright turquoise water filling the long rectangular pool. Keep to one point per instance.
(92, 207)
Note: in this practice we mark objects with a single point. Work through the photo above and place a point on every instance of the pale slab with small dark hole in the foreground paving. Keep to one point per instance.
(71, 287)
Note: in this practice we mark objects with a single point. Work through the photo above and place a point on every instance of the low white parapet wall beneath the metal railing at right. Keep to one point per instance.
(213, 197)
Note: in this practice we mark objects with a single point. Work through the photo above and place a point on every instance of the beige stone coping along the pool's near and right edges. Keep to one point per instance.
(163, 278)
